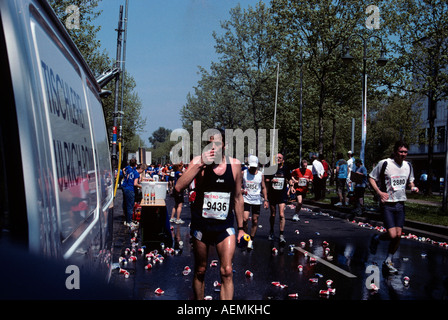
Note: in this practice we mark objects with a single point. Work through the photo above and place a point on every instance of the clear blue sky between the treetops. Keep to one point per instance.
(166, 42)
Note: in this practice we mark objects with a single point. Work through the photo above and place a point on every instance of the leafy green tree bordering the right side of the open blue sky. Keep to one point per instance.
(239, 90)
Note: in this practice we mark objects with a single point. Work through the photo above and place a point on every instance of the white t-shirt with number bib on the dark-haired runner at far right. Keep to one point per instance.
(396, 178)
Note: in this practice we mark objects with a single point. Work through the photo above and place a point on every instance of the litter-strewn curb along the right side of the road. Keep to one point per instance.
(436, 232)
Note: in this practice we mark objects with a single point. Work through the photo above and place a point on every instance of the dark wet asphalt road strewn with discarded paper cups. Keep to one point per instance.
(339, 251)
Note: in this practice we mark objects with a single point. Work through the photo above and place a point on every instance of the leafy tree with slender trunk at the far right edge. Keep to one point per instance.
(420, 65)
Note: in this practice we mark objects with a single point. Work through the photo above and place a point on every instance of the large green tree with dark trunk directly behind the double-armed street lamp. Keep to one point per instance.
(318, 29)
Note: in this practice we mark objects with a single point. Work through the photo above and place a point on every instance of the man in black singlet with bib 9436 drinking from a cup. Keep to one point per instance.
(218, 192)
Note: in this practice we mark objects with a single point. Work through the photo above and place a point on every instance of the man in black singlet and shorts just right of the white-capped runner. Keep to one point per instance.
(277, 185)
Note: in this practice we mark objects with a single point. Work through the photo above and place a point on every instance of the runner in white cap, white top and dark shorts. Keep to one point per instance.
(253, 187)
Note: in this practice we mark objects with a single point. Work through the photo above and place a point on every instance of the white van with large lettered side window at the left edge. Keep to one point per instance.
(56, 188)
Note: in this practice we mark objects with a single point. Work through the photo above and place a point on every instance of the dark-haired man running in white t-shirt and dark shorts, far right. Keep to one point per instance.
(389, 179)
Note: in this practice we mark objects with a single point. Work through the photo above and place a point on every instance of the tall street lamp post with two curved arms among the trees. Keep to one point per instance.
(347, 58)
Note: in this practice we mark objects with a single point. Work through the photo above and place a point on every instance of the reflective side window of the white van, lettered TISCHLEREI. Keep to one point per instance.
(65, 105)
